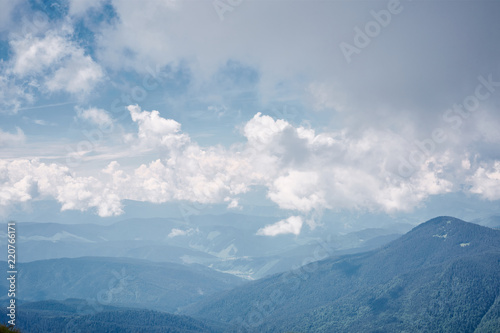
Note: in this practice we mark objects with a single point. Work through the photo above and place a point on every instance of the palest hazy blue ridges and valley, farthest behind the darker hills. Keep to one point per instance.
(227, 242)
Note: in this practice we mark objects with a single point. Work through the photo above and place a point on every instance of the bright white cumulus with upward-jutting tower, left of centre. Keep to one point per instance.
(186, 172)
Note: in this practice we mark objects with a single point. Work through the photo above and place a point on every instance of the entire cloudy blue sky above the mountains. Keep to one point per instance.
(116, 108)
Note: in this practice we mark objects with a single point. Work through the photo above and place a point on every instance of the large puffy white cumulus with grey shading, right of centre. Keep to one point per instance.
(306, 171)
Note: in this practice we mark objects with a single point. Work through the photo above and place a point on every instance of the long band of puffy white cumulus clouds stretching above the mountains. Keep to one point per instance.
(303, 172)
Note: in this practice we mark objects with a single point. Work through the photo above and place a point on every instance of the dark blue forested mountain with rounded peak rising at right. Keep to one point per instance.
(443, 276)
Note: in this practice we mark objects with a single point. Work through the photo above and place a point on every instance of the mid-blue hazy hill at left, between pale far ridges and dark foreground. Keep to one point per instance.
(118, 281)
